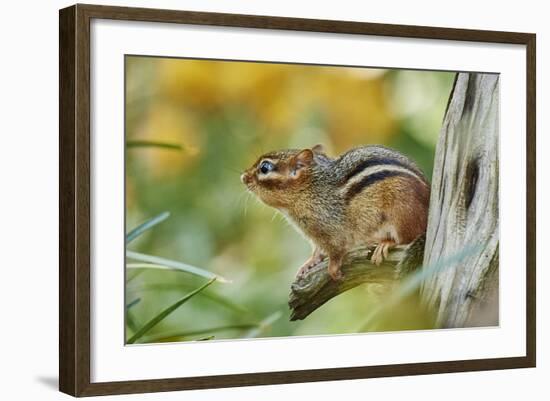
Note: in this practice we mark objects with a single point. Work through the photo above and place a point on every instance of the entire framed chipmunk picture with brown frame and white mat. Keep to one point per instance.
(251, 200)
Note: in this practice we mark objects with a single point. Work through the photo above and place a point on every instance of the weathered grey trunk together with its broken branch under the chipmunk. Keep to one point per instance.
(463, 212)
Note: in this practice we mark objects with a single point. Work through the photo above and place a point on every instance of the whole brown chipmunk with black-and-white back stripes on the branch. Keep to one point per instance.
(370, 195)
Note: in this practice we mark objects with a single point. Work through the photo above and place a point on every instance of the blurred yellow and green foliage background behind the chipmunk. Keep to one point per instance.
(191, 127)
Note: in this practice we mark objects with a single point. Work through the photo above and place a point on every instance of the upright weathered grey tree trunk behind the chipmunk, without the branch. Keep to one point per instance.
(464, 205)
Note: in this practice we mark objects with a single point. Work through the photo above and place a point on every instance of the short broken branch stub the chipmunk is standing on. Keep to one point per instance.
(316, 287)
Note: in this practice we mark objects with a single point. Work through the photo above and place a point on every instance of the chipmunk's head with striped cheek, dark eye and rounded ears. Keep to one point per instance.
(277, 177)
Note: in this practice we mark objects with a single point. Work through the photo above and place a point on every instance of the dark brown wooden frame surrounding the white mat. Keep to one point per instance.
(74, 199)
